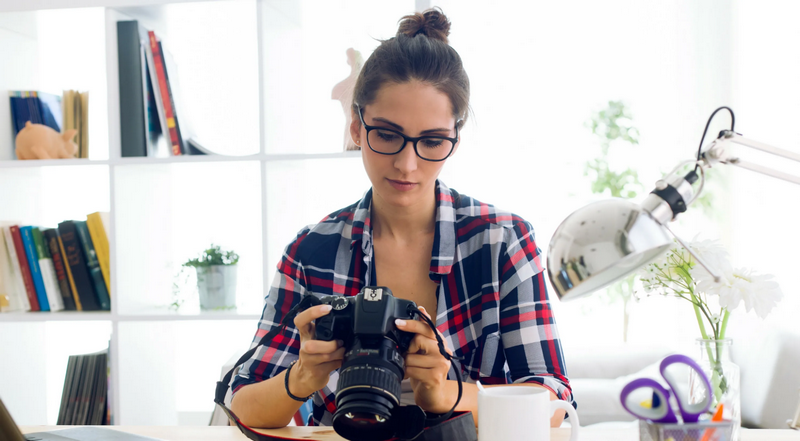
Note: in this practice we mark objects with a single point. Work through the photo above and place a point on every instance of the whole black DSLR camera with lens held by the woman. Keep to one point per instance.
(368, 390)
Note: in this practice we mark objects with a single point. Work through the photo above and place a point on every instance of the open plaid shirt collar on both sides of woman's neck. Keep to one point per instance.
(444, 241)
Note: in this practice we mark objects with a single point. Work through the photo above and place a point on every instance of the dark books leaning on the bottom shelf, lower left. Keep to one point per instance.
(84, 399)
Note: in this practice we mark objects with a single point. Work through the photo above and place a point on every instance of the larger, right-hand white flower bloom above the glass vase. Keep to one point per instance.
(758, 292)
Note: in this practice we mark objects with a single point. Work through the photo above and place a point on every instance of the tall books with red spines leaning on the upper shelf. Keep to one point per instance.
(149, 124)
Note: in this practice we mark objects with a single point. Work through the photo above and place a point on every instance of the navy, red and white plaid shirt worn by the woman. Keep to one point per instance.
(493, 308)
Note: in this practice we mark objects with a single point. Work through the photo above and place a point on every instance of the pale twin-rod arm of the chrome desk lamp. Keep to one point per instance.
(718, 153)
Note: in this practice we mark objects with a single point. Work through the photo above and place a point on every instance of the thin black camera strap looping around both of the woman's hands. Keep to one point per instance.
(307, 302)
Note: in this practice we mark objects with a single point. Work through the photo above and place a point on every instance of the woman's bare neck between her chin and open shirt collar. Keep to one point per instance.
(403, 224)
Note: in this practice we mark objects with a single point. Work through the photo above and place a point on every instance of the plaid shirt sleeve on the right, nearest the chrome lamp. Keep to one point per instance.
(527, 326)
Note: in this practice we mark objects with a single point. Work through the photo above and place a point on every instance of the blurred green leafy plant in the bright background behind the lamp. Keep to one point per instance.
(614, 125)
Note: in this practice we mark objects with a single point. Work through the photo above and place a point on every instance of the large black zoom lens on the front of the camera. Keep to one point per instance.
(368, 390)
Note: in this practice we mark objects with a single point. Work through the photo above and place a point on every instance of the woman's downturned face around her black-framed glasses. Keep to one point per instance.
(415, 109)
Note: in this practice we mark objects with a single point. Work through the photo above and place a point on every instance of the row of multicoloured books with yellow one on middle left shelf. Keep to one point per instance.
(55, 269)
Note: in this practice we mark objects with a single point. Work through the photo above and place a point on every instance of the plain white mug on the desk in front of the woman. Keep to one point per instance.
(519, 413)
